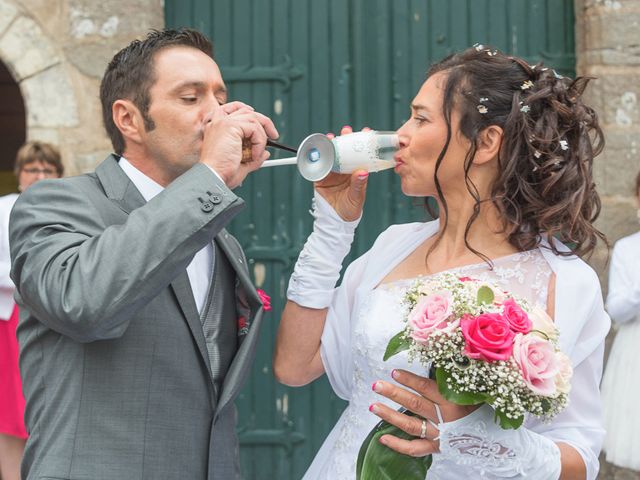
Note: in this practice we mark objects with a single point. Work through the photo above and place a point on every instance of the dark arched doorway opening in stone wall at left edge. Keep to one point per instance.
(12, 128)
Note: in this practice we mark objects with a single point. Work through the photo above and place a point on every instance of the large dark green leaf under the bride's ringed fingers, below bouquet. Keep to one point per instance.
(377, 462)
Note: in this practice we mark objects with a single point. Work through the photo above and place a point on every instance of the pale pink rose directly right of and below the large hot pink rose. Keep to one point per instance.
(538, 363)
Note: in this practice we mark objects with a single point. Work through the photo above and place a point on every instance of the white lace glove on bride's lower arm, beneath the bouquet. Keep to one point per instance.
(485, 450)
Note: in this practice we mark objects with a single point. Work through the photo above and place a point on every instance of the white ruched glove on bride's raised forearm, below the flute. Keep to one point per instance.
(318, 267)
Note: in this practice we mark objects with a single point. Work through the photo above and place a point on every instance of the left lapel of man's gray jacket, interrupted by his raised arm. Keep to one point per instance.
(121, 190)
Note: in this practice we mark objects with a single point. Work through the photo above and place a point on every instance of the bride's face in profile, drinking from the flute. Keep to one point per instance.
(422, 139)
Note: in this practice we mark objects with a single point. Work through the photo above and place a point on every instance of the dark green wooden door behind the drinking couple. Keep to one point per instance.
(313, 66)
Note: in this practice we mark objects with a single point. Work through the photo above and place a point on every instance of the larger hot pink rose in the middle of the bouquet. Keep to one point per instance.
(487, 337)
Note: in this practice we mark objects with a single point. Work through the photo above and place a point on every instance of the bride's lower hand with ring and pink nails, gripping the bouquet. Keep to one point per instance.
(425, 404)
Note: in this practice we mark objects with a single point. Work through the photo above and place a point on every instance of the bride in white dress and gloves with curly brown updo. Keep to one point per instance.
(505, 150)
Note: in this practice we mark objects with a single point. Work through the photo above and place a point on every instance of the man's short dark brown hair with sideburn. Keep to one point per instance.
(130, 75)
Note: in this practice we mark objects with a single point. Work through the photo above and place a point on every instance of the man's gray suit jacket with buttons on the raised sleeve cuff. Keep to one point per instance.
(113, 356)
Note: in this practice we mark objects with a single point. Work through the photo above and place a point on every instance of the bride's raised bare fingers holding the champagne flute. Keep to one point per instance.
(345, 192)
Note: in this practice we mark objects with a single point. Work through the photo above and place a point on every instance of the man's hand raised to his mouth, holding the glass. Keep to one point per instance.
(229, 126)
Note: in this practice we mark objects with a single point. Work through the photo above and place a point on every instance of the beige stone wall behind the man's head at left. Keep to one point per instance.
(57, 52)
